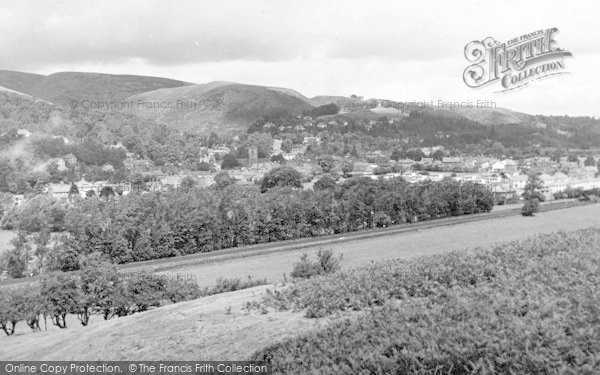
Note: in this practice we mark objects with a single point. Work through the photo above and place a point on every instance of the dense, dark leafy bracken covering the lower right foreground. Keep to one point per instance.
(524, 307)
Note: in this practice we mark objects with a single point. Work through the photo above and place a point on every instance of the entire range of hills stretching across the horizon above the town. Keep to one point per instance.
(40, 104)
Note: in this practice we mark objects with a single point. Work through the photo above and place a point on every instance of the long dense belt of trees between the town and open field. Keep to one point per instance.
(165, 224)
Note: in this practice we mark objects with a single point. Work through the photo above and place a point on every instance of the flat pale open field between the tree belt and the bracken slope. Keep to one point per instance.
(272, 266)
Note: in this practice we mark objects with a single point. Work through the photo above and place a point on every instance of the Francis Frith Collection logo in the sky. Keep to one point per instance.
(516, 62)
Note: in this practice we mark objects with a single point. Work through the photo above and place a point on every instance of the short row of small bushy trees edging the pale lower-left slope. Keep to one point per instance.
(96, 289)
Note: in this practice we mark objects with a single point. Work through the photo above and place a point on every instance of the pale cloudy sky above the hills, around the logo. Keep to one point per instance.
(397, 50)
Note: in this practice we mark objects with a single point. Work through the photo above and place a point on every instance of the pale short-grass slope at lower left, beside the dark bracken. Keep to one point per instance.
(200, 328)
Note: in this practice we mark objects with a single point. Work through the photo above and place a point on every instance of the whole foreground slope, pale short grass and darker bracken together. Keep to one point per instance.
(533, 301)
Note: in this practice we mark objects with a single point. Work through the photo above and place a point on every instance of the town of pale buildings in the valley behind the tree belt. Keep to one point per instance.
(506, 178)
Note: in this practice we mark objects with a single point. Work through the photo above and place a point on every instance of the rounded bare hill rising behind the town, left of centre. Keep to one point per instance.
(217, 106)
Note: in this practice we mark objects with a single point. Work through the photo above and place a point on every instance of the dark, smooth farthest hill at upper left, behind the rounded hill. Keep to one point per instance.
(60, 88)
